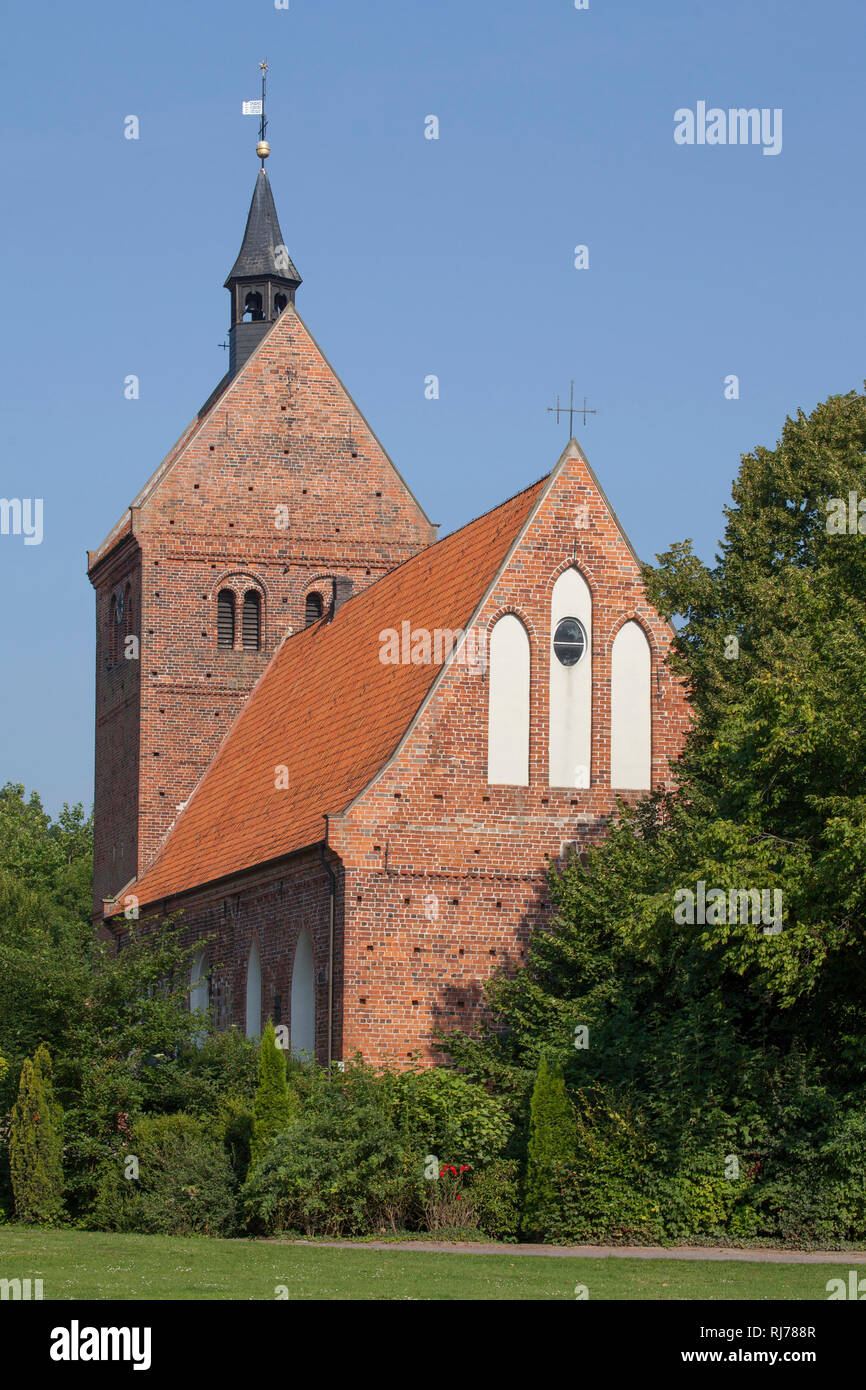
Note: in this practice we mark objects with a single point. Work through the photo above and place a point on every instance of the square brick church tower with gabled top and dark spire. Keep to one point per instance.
(275, 505)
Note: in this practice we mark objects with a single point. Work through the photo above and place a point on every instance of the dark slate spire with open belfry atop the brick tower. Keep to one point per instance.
(263, 280)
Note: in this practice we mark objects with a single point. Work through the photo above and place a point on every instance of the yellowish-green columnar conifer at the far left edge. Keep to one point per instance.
(37, 1143)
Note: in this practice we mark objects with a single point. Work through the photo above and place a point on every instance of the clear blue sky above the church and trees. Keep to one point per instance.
(451, 258)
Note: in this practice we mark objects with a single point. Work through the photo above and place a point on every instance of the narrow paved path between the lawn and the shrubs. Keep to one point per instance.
(778, 1257)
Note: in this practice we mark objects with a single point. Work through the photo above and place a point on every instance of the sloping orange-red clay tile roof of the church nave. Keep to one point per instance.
(329, 711)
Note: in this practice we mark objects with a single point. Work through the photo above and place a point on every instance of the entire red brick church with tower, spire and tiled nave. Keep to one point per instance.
(340, 751)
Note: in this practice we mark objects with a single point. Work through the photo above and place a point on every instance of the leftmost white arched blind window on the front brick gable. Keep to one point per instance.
(508, 729)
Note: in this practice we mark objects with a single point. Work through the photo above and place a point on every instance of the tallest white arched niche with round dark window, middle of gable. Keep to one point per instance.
(571, 682)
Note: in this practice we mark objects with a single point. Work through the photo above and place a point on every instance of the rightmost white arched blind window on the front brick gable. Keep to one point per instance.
(632, 710)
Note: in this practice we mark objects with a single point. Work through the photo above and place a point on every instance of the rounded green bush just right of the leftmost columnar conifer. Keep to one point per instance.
(186, 1184)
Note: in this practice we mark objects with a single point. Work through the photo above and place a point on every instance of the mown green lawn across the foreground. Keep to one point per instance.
(95, 1266)
